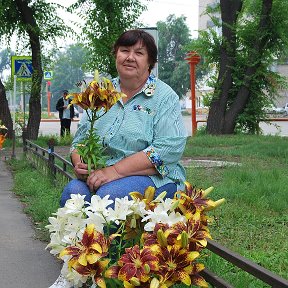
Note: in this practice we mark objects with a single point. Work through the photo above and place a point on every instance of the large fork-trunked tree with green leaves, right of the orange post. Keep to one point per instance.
(253, 36)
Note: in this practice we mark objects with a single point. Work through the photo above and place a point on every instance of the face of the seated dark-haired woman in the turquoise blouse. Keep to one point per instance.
(132, 61)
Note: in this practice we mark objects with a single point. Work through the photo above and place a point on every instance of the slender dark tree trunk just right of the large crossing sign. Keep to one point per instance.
(35, 99)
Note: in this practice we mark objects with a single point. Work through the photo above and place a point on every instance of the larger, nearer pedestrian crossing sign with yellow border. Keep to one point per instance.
(21, 66)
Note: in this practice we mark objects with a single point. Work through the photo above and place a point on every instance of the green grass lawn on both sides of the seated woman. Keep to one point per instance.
(252, 222)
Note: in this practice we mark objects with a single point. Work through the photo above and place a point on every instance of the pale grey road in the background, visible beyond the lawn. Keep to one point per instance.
(276, 128)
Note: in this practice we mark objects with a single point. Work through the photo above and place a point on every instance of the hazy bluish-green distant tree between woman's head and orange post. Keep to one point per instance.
(174, 35)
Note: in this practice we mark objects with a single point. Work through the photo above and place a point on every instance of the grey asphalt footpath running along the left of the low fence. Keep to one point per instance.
(24, 261)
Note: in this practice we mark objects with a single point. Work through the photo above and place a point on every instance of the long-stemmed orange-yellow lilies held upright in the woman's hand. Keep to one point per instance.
(96, 99)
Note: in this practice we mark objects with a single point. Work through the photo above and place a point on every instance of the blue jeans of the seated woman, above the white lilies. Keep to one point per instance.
(116, 189)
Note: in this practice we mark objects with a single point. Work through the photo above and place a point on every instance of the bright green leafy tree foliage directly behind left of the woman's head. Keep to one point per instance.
(105, 21)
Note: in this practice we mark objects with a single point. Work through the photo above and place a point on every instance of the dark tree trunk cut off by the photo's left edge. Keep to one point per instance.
(5, 115)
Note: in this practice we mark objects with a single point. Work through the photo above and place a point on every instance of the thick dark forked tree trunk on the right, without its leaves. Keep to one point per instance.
(222, 118)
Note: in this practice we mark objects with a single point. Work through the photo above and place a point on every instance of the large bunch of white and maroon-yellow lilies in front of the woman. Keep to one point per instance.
(142, 242)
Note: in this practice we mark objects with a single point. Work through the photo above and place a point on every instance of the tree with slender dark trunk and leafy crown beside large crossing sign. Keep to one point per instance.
(36, 21)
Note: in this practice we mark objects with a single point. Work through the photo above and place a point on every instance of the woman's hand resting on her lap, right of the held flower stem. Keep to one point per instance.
(101, 176)
